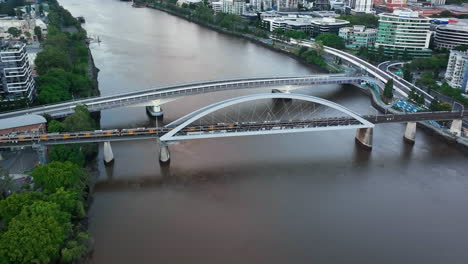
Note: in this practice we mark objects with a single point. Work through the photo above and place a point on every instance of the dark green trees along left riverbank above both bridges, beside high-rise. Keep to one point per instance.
(63, 64)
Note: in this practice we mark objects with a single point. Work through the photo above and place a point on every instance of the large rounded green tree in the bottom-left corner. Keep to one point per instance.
(35, 235)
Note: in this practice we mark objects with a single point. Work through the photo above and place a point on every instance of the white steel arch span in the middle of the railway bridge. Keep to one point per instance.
(353, 122)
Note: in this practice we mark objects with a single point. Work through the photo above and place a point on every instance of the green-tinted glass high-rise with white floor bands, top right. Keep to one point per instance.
(404, 33)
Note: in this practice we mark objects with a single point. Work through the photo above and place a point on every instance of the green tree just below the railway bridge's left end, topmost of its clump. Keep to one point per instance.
(56, 175)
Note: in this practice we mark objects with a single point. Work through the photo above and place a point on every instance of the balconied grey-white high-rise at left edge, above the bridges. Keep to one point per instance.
(16, 81)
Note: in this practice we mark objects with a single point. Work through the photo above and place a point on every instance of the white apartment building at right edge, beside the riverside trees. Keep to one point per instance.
(457, 70)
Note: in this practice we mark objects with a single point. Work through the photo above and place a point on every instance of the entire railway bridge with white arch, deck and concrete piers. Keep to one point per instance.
(187, 128)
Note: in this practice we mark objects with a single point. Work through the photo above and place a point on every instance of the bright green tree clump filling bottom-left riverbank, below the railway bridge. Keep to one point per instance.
(39, 225)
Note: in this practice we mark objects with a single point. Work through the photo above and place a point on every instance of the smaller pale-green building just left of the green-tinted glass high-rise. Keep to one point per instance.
(358, 36)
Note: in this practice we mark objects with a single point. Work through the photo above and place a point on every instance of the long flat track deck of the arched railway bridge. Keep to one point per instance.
(220, 129)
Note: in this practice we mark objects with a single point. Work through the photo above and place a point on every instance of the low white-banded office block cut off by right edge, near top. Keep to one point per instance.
(451, 35)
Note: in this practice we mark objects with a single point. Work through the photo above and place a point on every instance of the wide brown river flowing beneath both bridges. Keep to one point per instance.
(298, 198)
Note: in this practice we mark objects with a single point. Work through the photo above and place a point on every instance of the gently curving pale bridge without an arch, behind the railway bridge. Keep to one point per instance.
(154, 98)
